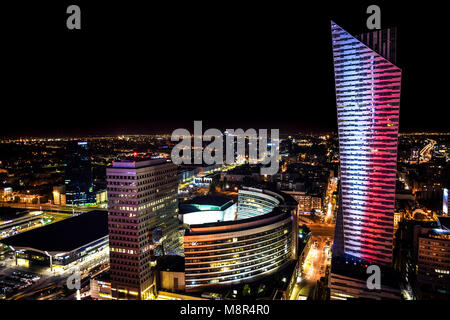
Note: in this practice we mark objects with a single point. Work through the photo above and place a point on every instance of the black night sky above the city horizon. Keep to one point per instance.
(148, 69)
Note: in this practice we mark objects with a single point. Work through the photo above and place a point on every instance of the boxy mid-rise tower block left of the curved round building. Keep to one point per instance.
(143, 223)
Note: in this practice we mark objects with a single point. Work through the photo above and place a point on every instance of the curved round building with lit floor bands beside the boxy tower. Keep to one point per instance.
(261, 239)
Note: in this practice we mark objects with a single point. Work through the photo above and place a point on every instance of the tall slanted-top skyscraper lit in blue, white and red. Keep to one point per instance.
(368, 104)
